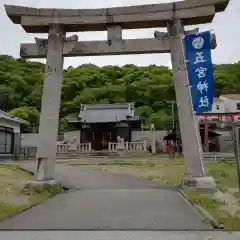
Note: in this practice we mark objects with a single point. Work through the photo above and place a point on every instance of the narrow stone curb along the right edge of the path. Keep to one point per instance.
(206, 215)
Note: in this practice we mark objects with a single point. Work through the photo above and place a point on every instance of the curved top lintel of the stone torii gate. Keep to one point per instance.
(192, 12)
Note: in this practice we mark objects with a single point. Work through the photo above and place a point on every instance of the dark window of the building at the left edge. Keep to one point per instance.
(6, 140)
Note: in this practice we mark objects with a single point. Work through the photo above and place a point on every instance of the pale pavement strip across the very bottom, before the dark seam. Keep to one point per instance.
(118, 235)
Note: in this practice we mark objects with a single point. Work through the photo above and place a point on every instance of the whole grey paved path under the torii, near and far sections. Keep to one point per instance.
(104, 201)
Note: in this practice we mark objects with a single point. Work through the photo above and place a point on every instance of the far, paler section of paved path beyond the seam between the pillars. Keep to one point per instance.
(82, 177)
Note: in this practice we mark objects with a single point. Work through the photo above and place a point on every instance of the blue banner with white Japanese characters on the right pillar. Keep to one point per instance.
(200, 70)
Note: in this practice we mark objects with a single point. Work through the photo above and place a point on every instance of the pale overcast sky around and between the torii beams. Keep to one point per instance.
(225, 25)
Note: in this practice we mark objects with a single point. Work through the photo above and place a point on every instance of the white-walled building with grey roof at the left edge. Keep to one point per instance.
(10, 129)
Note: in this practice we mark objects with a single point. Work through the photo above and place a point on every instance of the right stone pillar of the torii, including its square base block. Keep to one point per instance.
(194, 169)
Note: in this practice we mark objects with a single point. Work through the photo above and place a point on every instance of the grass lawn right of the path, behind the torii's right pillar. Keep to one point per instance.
(172, 171)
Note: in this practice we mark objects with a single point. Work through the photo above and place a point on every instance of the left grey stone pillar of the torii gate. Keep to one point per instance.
(51, 98)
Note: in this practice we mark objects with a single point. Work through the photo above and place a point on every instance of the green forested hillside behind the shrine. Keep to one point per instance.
(149, 87)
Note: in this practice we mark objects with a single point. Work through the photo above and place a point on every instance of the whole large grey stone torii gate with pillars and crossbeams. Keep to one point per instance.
(57, 22)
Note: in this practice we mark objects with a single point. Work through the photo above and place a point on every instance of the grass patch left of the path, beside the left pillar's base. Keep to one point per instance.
(12, 197)
